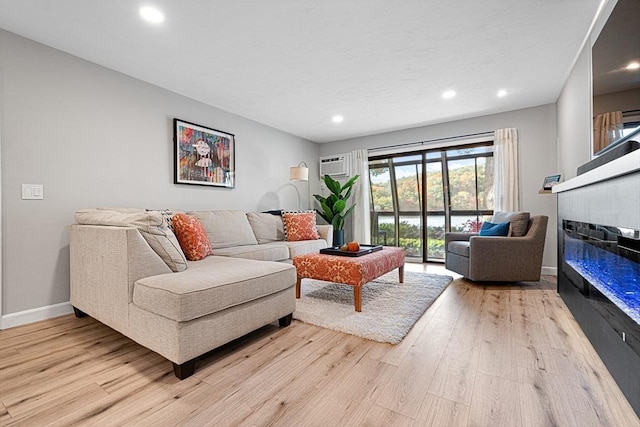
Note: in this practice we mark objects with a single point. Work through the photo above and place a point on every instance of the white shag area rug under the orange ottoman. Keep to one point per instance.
(389, 308)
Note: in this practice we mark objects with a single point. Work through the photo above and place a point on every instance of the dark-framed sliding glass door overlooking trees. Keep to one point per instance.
(413, 210)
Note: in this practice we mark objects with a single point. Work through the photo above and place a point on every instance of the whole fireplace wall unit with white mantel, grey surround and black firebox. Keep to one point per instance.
(599, 264)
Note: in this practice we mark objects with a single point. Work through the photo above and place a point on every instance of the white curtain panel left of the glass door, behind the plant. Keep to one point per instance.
(361, 197)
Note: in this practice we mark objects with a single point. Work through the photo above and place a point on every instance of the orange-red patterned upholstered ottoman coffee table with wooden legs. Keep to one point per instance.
(353, 271)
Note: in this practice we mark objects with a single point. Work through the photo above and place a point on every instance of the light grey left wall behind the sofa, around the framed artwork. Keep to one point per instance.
(95, 137)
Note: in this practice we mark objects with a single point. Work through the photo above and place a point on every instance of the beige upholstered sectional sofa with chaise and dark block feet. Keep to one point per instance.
(128, 272)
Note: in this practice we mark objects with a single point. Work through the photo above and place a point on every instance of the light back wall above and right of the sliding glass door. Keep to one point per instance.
(537, 155)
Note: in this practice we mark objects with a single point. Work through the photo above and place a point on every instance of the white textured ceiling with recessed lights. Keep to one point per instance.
(293, 64)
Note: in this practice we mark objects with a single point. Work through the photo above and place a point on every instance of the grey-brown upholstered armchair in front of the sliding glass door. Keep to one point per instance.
(498, 259)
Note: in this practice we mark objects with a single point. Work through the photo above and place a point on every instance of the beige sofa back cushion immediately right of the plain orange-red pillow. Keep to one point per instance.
(226, 228)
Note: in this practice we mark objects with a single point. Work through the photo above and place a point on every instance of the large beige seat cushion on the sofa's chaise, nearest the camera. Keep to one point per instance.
(211, 285)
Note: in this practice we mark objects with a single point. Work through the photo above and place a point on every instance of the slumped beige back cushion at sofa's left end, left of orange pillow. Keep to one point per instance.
(152, 227)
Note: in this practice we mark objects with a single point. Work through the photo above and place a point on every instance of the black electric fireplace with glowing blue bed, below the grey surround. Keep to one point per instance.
(599, 280)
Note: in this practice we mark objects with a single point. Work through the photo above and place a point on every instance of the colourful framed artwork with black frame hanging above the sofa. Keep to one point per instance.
(203, 156)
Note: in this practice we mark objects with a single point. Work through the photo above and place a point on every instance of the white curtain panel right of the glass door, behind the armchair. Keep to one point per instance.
(505, 179)
